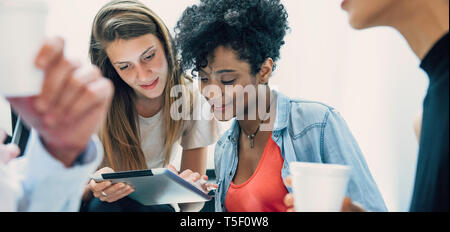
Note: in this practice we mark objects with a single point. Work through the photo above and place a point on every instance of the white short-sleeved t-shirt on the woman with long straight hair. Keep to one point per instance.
(197, 132)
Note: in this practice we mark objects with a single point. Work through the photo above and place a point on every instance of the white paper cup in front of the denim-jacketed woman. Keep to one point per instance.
(319, 187)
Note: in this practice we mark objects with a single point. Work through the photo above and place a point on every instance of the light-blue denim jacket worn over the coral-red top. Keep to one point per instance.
(308, 132)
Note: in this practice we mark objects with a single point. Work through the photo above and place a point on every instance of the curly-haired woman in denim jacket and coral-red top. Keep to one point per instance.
(233, 47)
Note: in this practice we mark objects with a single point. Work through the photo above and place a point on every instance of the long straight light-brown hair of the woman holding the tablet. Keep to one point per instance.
(127, 19)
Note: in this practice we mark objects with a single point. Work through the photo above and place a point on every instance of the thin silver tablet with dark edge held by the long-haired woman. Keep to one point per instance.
(157, 186)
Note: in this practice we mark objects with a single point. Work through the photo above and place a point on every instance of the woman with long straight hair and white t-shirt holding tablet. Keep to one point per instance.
(134, 49)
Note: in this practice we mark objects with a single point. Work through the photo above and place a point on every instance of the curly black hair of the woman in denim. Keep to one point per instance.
(255, 29)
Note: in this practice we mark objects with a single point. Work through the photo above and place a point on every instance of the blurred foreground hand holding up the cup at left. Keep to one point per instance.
(72, 105)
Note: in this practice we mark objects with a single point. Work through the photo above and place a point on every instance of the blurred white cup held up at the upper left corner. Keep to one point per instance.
(22, 26)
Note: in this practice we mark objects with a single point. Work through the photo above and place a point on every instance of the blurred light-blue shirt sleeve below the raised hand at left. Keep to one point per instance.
(48, 184)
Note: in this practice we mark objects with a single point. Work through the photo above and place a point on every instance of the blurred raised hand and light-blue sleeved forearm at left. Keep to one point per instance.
(61, 151)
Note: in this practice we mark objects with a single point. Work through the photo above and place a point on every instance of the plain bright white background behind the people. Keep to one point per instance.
(371, 77)
